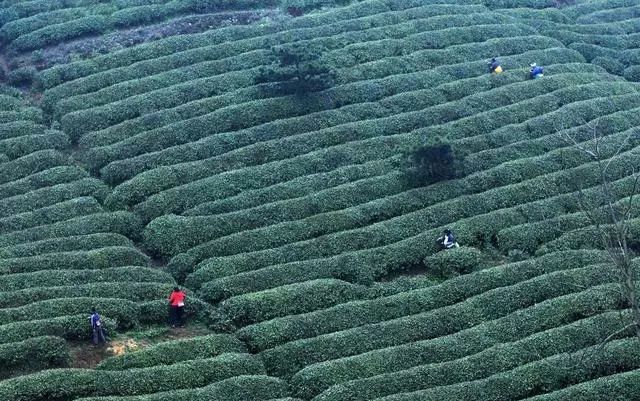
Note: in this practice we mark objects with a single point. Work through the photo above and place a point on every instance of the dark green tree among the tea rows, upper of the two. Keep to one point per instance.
(296, 69)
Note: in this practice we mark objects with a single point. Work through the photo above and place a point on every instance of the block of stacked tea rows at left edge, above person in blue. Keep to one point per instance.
(61, 253)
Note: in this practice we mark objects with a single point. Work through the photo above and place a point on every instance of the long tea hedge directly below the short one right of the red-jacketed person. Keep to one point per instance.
(269, 334)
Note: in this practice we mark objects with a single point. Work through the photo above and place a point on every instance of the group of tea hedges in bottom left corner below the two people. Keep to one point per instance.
(215, 365)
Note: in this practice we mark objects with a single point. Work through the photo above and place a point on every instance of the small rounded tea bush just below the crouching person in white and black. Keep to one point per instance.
(455, 261)
